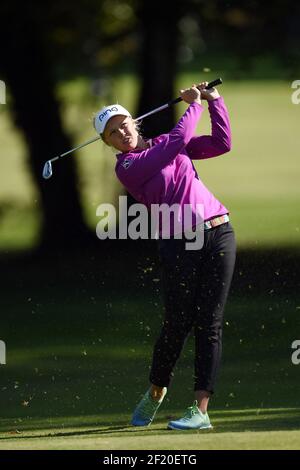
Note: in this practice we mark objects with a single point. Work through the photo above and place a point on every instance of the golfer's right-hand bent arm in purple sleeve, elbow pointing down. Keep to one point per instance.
(219, 142)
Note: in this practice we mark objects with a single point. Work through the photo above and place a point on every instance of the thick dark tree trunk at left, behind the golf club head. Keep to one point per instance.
(36, 110)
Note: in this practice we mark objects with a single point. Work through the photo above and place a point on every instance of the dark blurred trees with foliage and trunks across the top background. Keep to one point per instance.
(46, 45)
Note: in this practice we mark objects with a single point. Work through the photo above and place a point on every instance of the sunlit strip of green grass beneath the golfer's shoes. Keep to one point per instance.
(239, 429)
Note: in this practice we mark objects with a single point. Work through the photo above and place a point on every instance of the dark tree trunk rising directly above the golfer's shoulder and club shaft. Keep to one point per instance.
(159, 31)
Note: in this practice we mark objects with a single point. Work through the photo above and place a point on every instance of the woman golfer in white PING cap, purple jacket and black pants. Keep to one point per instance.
(195, 282)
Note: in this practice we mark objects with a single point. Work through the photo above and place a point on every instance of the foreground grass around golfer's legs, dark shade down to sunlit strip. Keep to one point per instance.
(78, 358)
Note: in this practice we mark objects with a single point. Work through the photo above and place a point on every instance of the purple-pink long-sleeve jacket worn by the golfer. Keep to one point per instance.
(164, 173)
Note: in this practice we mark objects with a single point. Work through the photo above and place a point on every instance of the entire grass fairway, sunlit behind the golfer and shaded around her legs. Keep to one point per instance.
(79, 333)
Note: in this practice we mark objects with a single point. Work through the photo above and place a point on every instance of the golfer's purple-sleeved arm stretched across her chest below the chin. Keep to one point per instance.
(145, 164)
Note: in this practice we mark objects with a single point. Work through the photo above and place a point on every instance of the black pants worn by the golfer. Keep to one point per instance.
(196, 285)
